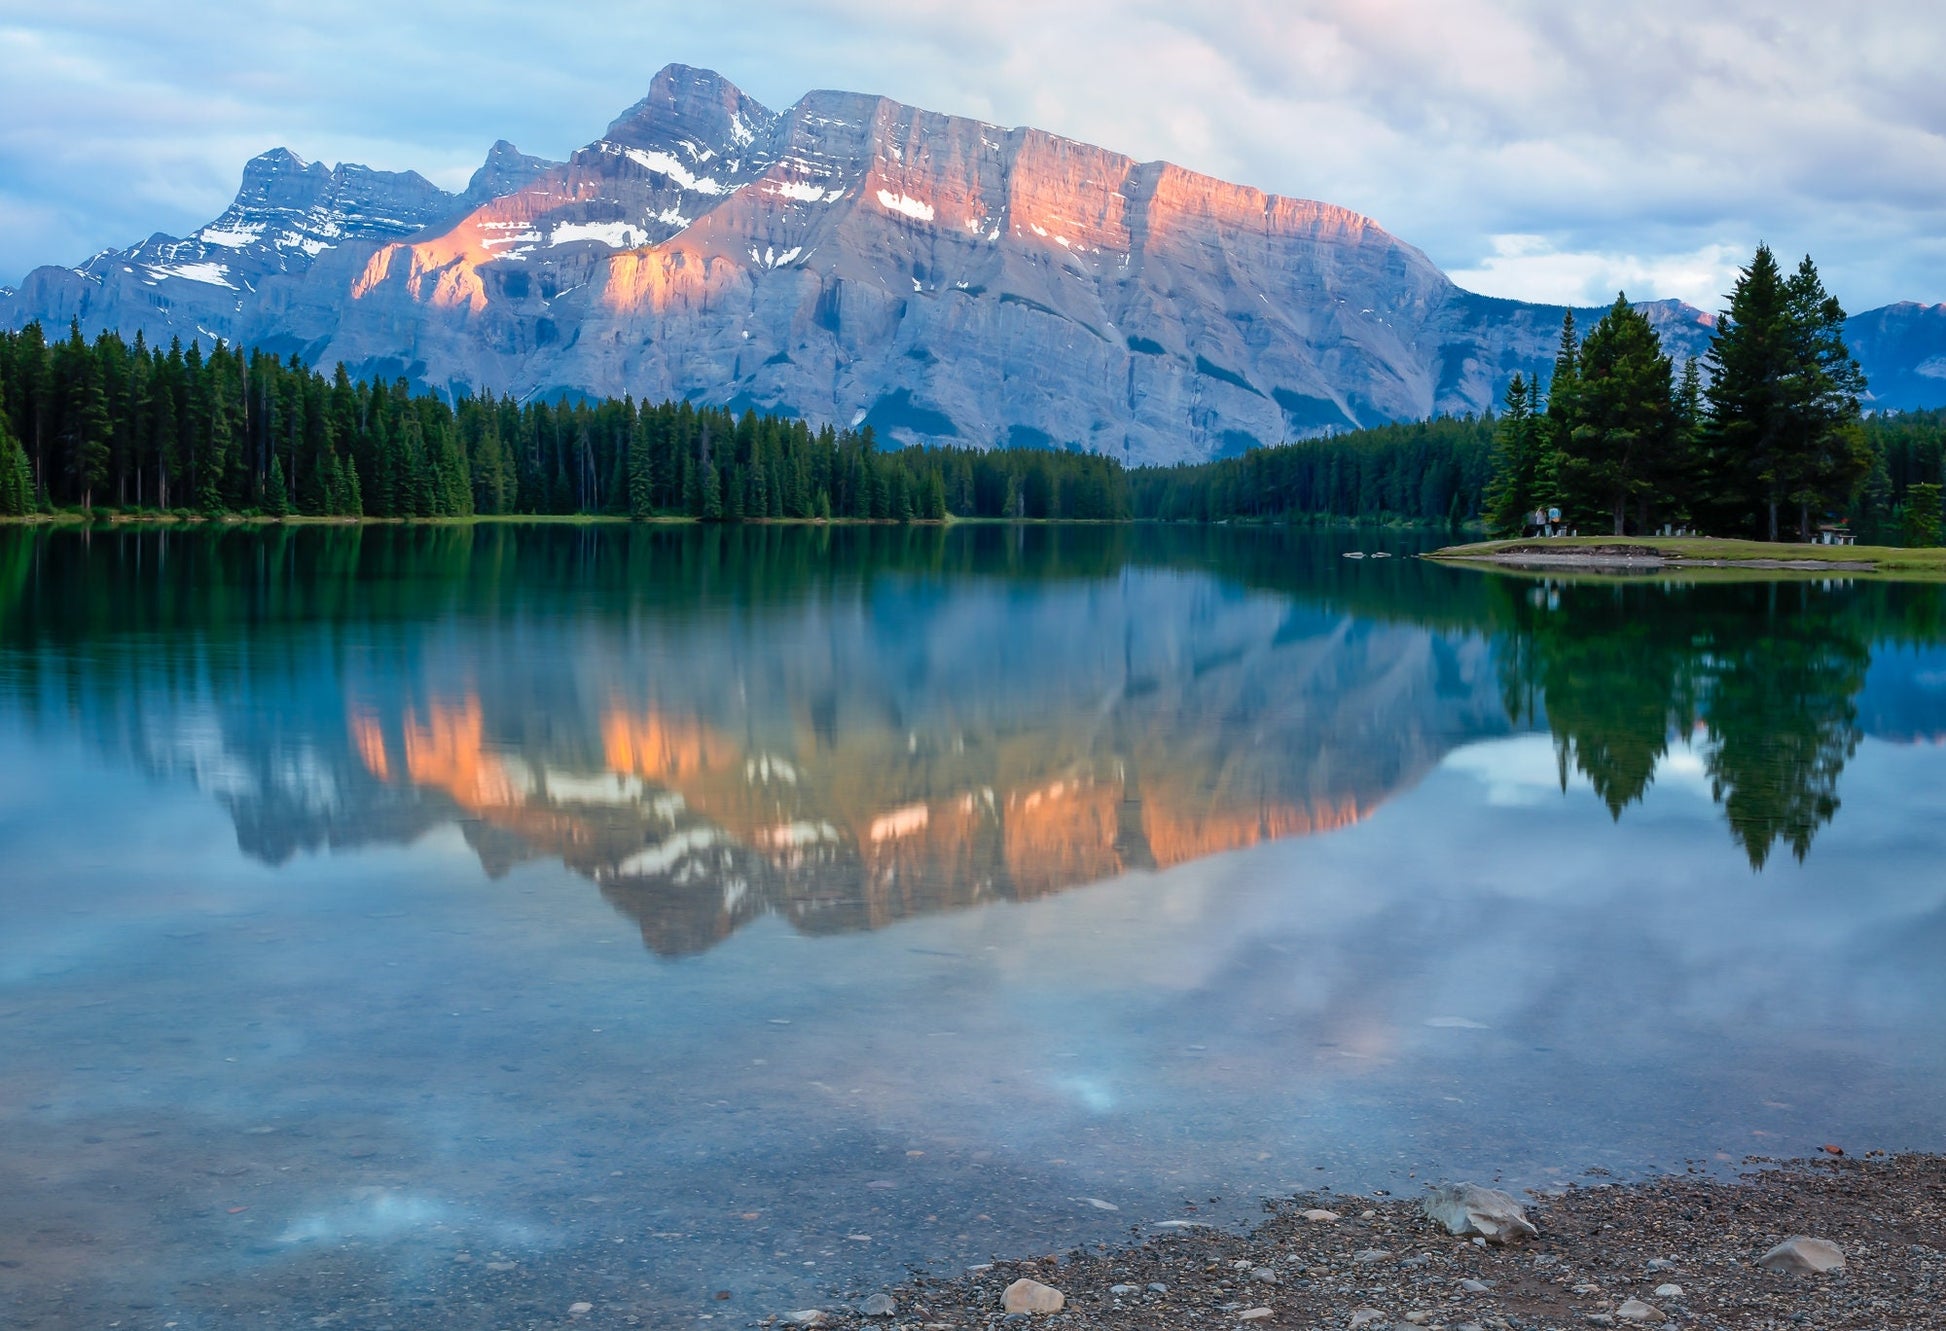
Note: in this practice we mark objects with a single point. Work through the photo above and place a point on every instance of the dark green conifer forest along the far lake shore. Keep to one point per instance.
(1772, 443)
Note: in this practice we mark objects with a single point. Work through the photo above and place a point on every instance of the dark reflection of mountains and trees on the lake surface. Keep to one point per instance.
(853, 727)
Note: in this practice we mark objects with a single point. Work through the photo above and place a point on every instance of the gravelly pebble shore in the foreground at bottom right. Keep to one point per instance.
(1669, 1252)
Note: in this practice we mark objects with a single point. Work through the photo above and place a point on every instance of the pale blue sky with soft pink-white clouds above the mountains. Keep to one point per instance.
(1538, 151)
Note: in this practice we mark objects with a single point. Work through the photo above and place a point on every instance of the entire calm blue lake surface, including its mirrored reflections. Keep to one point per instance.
(441, 927)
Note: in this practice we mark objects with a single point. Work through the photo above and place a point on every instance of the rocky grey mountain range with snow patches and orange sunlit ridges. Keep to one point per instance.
(859, 262)
